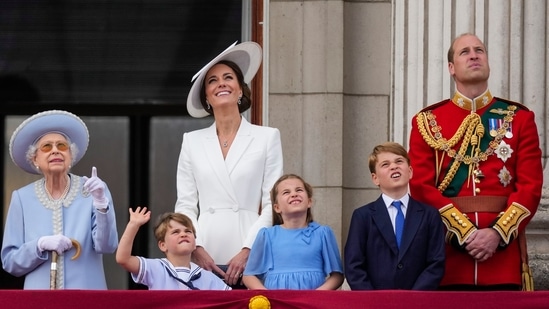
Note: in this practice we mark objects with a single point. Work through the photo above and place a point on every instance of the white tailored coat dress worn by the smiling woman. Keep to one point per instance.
(223, 197)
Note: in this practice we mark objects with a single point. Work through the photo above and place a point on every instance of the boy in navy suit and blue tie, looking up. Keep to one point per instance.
(394, 242)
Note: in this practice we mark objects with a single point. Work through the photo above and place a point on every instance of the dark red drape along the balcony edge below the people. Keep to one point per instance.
(76, 299)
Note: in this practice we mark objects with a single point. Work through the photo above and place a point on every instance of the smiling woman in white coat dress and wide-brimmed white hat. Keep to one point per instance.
(225, 171)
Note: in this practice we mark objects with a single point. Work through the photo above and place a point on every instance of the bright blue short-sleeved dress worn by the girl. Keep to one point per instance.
(296, 259)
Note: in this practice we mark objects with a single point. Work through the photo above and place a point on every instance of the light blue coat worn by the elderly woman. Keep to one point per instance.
(28, 220)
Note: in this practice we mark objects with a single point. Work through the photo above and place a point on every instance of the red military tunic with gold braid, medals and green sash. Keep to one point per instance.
(509, 169)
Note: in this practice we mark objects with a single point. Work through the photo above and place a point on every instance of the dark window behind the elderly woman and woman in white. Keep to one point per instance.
(125, 67)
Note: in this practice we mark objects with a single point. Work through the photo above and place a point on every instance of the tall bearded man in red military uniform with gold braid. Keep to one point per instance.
(477, 159)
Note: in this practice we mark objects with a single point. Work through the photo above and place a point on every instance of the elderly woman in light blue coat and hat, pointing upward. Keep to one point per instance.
(63, 221)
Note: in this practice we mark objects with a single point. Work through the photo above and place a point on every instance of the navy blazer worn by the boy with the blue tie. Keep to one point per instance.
(373, 260)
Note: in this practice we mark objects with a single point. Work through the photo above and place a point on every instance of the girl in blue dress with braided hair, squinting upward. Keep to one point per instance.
(295, 253)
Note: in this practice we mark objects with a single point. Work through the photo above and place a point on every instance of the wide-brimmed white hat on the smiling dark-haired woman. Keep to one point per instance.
(246, 55)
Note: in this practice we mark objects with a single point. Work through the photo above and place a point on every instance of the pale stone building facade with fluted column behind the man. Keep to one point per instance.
(344, 76)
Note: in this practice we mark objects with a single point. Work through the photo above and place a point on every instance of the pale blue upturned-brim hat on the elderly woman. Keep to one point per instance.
(38, 125)
